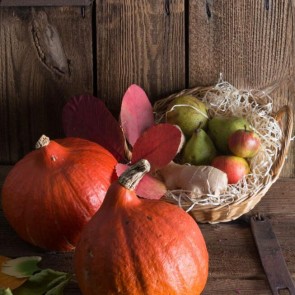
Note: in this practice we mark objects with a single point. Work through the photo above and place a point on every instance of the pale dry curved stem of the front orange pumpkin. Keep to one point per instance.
(132, 176)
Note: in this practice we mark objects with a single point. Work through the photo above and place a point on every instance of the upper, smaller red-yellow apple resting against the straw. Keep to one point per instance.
(244, 143)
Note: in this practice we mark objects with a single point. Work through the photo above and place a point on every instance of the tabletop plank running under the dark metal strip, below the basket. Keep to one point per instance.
(233, 251)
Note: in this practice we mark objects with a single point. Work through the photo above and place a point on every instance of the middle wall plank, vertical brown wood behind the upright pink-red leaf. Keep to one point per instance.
(139, 42)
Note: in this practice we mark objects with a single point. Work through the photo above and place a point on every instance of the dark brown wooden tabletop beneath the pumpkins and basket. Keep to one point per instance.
(235, 267)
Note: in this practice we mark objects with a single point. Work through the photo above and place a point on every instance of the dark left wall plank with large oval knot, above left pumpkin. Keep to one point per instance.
(45, 57)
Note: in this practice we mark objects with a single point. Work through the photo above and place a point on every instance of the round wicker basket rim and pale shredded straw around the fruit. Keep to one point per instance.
(274, 129)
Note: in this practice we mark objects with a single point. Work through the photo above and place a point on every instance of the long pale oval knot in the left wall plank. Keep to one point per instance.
(48, 44)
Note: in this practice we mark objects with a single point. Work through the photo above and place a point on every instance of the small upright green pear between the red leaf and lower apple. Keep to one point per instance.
(199, 149)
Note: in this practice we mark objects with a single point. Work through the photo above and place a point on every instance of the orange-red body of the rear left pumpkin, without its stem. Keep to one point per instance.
(52, 192)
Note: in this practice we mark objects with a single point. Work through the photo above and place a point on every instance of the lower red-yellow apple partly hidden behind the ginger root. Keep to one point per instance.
(235, 167)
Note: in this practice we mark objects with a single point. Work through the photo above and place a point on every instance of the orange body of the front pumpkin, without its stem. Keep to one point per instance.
(135, 246)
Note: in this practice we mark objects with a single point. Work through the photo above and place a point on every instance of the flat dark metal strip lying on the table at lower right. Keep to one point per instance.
(271, 255)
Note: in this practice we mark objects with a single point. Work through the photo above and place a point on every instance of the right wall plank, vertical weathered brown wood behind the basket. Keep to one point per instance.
(247, 41)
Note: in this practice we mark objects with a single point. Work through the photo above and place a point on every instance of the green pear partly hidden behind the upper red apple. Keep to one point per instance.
(221, 128)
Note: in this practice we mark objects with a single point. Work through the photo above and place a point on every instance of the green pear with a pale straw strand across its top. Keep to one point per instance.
(188, 113)
